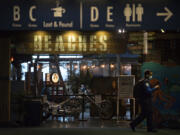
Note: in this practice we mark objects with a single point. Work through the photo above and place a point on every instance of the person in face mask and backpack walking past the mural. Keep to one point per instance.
(145, 102)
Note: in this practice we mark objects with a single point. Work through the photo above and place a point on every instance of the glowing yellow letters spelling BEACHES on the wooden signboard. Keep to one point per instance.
(71, 44)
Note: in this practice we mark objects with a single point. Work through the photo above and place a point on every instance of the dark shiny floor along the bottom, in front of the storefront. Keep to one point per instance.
(91, 126)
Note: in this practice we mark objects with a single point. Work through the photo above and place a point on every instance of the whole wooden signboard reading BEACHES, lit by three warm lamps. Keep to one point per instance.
(70, 43)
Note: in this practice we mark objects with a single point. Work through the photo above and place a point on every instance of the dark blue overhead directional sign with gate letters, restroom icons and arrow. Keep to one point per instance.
(89, 14)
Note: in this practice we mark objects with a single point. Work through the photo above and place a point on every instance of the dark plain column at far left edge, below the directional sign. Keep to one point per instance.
(4, 80)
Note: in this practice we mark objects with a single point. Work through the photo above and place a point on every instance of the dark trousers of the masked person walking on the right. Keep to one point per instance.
(146, 113)
